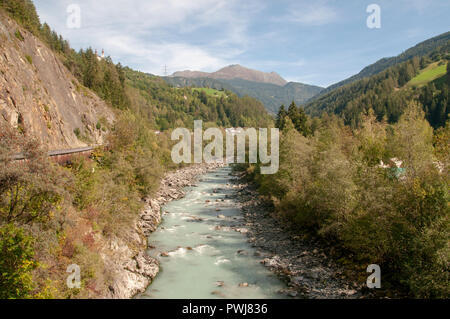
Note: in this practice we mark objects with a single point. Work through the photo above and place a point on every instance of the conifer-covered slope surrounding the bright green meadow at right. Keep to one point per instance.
(389, 92)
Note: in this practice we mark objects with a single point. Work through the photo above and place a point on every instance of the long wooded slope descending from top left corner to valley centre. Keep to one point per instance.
(108, 80)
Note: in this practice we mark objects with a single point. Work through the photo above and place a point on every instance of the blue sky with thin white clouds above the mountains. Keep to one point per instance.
(317, 42)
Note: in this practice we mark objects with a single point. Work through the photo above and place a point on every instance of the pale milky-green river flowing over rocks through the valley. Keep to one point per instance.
(203, 250)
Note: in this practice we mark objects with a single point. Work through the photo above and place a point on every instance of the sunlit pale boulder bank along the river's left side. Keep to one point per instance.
(131, 268)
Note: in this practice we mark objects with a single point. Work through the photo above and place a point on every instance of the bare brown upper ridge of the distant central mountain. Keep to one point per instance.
(236, 71)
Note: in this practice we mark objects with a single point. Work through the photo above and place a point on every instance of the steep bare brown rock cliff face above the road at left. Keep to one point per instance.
(41, 98)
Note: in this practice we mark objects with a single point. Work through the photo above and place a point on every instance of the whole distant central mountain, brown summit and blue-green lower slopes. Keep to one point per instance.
(271, 89)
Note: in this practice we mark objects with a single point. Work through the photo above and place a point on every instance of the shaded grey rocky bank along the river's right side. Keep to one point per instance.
(304, 265)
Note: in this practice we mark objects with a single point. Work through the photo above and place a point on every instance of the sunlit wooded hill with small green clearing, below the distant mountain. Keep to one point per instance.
(167, 107)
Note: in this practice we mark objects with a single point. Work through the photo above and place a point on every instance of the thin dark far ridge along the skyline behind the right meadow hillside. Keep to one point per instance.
(421, 49)
